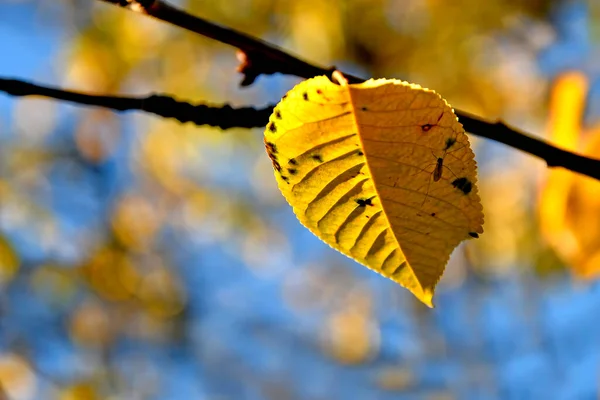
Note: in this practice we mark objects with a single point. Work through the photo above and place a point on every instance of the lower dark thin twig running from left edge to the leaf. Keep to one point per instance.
(224, 117)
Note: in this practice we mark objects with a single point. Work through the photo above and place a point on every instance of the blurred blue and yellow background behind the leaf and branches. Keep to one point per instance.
(145, 259)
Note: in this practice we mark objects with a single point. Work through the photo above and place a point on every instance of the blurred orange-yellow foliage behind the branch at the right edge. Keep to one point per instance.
(569, 204)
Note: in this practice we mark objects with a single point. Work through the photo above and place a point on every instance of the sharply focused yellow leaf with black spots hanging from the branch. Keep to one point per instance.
(381, 171)
